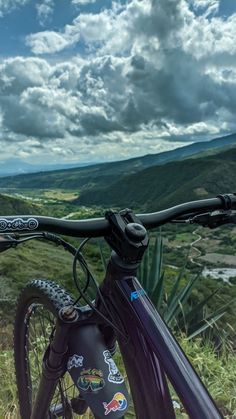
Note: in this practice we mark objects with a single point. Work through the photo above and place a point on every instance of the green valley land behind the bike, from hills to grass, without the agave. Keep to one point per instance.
(88, 192)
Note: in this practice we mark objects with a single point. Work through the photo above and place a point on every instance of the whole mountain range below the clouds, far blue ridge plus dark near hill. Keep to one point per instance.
(146, 183)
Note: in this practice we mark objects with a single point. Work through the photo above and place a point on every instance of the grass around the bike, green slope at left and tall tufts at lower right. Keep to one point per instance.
(37, 259)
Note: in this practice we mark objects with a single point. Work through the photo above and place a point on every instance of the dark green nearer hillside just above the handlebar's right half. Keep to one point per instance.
(160, 186)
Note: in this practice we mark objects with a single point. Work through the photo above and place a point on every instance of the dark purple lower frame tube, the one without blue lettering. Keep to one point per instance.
(147, 380)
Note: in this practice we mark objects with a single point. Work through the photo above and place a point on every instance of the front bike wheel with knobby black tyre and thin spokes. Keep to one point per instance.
(36, 315)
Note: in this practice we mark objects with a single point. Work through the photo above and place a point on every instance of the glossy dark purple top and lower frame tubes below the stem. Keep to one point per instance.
(153, 350)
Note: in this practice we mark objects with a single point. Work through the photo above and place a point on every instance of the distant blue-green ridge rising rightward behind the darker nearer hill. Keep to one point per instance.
(103, 175)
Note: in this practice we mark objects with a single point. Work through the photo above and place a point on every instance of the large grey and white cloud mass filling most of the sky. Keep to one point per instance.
(156, 70)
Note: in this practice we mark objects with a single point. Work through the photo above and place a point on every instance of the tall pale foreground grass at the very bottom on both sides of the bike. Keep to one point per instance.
(217, 371)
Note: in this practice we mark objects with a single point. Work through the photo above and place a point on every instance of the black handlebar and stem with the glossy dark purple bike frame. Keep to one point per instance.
(150, 353)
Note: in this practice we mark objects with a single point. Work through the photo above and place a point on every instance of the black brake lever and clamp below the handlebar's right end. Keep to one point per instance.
(214, 219)
